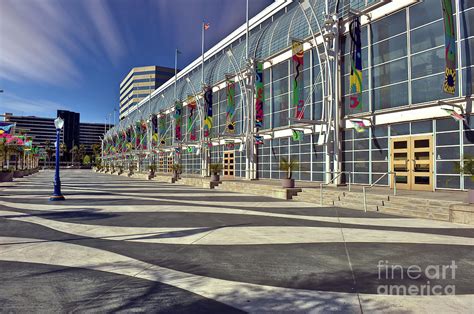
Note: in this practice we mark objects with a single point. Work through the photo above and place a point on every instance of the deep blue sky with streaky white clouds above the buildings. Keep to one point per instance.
(73, 54)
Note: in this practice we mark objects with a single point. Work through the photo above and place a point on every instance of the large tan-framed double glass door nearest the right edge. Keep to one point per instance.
(412, 161)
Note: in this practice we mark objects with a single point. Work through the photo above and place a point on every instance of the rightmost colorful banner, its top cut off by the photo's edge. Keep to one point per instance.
(449, 85)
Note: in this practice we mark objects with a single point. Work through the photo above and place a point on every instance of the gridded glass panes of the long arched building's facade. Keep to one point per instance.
(403, 58)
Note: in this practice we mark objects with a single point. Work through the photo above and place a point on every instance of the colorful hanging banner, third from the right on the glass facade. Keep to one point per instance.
(298, 84)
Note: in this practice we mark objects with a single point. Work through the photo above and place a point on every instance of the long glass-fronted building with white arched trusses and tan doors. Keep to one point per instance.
(405, 122)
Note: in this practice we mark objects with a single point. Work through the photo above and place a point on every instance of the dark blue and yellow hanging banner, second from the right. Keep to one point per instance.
(355, 79)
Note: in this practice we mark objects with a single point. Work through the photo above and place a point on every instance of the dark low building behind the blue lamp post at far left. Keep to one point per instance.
(74, 132)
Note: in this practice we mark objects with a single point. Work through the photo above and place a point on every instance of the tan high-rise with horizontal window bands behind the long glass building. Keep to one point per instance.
(139, 83)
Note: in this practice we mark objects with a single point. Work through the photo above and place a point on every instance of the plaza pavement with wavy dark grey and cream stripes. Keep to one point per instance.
(121, 244)
